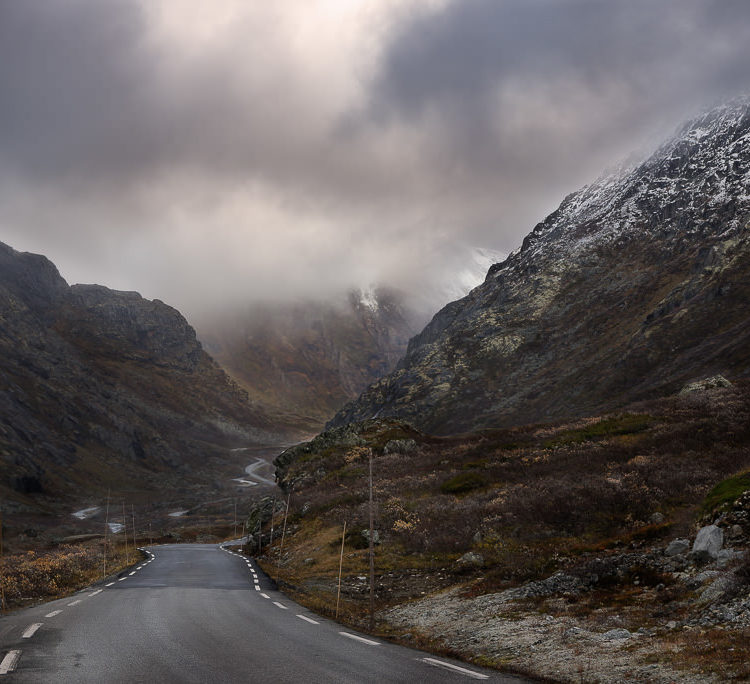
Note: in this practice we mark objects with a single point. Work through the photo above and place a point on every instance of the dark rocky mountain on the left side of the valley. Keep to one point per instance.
(103, 389)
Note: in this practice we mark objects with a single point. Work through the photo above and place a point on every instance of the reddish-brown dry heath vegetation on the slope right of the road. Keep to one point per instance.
(528, 502)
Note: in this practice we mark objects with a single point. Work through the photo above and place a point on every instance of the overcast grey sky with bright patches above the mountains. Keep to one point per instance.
(249, 150)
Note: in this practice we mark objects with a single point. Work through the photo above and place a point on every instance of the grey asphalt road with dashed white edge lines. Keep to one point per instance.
(199, 613)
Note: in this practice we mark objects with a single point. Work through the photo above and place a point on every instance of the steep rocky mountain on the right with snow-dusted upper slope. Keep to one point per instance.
(637, 284)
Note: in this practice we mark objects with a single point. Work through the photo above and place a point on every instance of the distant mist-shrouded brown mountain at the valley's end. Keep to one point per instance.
(305, 360)
